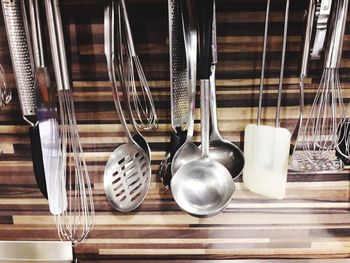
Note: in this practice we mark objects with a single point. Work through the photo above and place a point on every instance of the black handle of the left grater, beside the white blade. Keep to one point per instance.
(37, 158)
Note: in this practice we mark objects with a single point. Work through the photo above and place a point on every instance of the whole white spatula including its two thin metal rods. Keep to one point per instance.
(266, 148)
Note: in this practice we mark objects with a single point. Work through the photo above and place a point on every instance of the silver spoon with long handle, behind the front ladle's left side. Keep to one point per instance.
(188, 151)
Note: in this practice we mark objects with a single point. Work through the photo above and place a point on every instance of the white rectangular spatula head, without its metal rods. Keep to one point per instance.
(266, 151)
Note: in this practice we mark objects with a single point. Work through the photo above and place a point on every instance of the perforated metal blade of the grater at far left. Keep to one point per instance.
(21, 55)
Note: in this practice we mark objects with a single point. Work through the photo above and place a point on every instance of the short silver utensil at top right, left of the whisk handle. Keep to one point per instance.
(322, 10)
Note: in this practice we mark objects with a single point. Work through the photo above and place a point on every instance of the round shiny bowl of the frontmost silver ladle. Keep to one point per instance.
(202, 187)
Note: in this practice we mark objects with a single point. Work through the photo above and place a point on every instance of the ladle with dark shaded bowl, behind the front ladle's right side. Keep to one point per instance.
(221, 150)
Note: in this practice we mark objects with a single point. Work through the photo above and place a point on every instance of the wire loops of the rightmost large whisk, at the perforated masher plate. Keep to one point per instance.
(321, 129)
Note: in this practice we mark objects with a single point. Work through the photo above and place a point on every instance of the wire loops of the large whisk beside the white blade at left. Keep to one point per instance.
(75, 222)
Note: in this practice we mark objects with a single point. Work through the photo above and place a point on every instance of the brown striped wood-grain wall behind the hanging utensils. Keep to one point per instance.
(312, 222)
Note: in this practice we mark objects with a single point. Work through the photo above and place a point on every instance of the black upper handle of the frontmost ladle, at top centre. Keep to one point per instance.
(205, 22)
